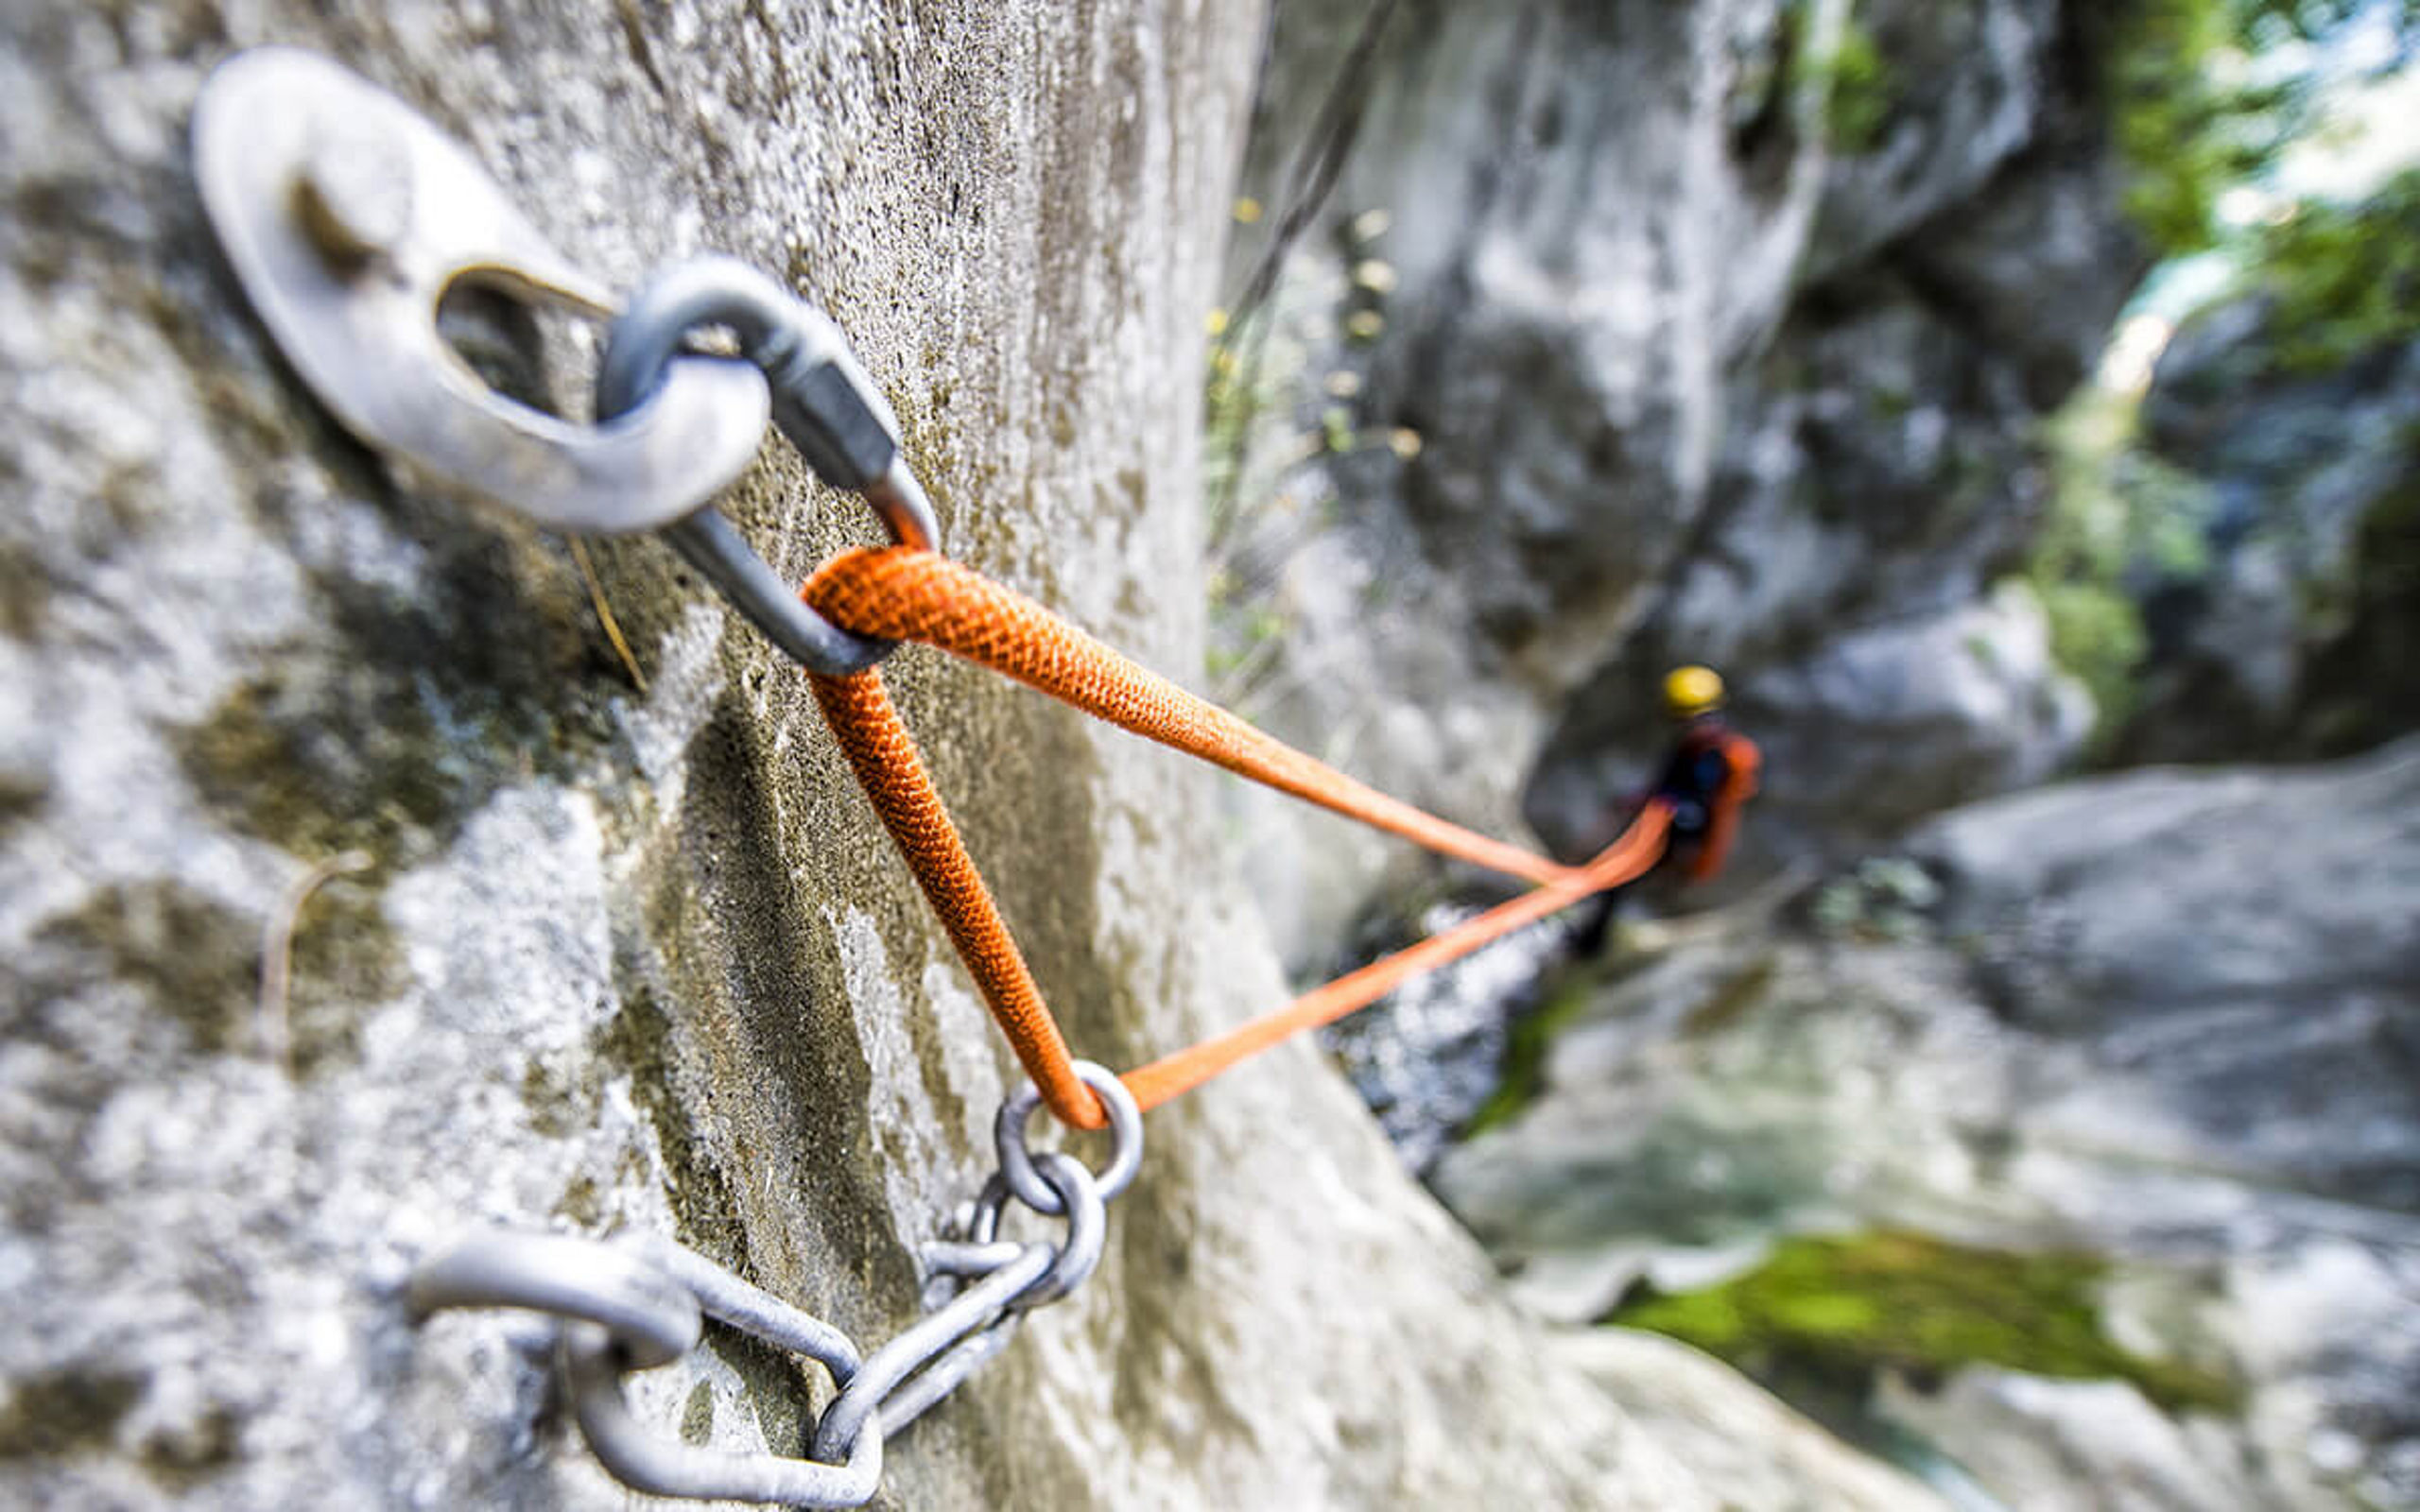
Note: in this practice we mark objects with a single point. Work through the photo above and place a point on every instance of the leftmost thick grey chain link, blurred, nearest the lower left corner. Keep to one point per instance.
(647, 1315)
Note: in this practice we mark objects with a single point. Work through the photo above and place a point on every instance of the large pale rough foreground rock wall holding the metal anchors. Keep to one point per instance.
(643, 962)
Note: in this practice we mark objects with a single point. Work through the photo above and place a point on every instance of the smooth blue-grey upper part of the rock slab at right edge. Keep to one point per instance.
(2133, 916)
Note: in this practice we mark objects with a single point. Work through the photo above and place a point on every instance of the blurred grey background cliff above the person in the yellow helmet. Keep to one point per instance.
(1724, 333)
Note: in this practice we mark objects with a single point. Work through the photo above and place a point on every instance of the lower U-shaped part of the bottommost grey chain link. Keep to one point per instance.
(667, 1467)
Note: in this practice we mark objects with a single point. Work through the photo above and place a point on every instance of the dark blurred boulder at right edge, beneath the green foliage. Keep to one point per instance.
(2295, 637)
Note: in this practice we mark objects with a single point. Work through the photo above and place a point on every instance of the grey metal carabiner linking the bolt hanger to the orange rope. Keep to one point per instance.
(822, 400)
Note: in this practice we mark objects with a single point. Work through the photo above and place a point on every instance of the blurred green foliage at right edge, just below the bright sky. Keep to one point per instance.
(2344, 279)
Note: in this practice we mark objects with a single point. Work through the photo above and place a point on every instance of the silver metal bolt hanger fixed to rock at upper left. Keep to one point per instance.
(347, 217)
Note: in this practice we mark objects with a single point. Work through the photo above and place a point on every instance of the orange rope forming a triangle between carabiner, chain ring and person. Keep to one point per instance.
(904, 594)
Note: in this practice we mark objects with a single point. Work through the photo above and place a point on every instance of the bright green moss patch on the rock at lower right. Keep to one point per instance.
(1843, 1310)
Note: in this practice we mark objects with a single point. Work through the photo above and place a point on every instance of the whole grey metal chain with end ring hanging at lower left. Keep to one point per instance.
(640, 1303)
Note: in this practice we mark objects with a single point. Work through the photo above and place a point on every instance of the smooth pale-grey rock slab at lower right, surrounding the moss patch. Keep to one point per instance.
(2167, 1020)
